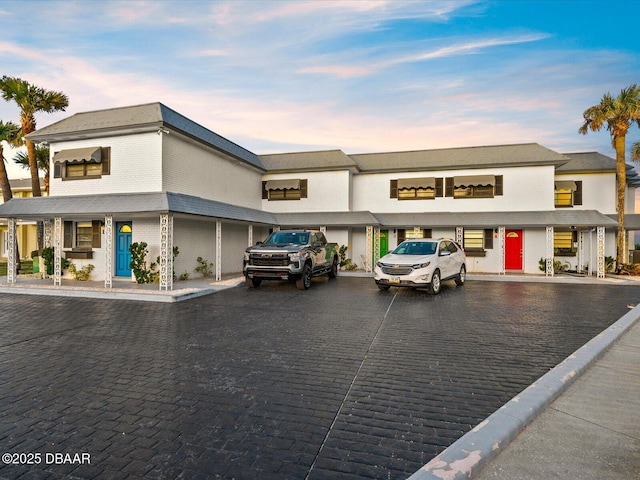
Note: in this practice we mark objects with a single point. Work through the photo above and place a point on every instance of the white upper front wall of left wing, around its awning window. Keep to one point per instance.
(135, 166)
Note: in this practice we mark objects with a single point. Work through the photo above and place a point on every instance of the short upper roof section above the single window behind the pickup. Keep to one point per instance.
(300, 161)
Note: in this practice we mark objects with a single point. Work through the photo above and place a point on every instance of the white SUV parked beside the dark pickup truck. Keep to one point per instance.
(422, 263)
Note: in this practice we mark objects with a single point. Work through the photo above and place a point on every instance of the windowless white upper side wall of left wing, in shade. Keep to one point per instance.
(193, 169)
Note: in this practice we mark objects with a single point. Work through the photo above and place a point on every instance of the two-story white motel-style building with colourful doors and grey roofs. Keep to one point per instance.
(148, 174)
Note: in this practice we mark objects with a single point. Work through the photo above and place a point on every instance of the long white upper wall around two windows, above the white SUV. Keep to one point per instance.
(524, 188)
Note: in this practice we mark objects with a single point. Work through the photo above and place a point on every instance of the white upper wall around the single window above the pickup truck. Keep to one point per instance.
(326, 192)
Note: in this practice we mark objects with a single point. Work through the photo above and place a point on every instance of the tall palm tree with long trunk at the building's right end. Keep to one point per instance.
(618, 113)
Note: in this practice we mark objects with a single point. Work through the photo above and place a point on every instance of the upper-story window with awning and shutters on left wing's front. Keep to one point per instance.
(82, 163)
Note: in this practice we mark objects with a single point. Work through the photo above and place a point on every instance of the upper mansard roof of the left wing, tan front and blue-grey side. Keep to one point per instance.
(138, 119)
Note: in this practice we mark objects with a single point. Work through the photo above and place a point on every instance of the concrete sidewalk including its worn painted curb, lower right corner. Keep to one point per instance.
(579, 421)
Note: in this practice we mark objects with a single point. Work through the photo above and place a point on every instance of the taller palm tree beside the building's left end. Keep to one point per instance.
(31, 99)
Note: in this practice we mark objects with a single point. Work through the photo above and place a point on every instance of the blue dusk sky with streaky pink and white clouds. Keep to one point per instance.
(361, 76)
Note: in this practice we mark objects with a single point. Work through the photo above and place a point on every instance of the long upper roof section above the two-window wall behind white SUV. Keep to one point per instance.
(460, 158)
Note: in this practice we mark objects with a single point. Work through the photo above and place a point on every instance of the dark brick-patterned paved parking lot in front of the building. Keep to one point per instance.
(340, 381)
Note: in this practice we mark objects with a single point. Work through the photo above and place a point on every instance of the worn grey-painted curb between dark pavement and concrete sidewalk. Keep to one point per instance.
(469, 454)
